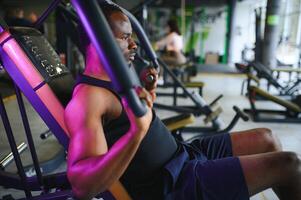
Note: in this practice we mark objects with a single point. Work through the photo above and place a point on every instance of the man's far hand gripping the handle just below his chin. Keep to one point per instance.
(149, 77)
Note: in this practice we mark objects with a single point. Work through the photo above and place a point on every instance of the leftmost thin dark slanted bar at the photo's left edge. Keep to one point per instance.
(13, 147)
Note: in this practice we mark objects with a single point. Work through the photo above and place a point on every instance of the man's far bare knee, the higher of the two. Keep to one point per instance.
(271, 140)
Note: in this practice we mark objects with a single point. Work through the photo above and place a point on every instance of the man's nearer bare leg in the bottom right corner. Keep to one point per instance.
(281, 170)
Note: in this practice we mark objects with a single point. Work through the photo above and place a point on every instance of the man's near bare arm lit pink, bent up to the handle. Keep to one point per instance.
(92, 167)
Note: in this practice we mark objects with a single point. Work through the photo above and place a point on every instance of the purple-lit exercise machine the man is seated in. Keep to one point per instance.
(37, 71)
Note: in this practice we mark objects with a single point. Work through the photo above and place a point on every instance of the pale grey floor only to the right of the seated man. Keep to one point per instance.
(230, 86)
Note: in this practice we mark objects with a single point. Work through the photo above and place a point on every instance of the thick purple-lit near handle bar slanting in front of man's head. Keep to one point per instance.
(109, 52)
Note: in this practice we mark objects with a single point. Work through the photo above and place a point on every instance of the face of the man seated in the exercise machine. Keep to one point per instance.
(122, 31)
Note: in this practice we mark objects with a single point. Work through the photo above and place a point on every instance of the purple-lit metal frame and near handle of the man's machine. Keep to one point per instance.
(32, 84)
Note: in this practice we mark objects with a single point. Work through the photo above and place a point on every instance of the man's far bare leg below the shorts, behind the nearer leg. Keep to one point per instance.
(254, 141)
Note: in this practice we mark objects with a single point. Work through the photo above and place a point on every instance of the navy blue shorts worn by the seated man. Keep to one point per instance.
(205, 170)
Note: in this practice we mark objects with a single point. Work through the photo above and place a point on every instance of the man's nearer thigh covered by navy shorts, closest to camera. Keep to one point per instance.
(212, 179)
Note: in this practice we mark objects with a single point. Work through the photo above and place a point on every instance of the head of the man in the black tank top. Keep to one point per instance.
(122, 30)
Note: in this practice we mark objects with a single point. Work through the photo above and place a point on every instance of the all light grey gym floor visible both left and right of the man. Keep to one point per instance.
(227, 84)
